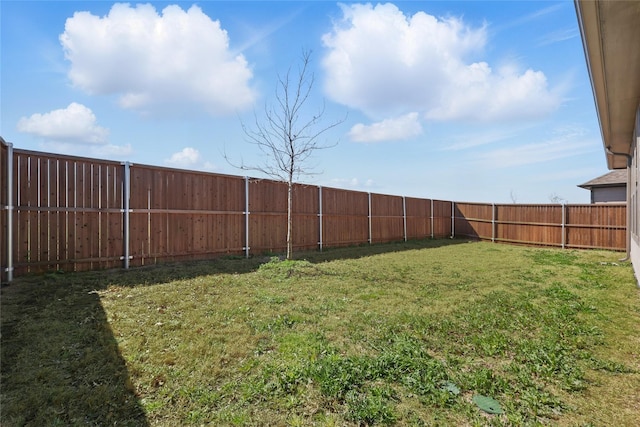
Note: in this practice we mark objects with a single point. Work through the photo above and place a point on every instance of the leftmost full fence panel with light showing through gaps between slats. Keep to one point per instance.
(67, 213)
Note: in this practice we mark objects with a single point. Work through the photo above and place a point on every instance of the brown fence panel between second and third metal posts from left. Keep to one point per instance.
(177, 214)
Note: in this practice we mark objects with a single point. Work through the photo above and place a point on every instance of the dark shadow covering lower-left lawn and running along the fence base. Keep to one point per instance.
(60, 362)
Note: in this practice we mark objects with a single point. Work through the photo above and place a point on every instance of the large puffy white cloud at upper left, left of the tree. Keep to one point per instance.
(174, 62)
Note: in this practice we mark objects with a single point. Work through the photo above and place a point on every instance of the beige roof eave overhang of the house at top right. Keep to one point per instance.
(611, 35)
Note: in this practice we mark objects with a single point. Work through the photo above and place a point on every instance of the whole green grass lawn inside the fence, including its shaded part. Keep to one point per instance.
(434, 332)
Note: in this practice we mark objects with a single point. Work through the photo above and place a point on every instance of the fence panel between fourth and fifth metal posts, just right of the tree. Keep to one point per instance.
(345, 216)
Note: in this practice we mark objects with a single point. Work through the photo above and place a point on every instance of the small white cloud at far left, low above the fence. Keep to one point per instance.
(74, 124)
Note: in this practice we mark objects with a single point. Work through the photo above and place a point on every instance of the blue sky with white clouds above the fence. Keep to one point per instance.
(466, 101)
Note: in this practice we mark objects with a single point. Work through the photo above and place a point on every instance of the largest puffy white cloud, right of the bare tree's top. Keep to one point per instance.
(385, 63)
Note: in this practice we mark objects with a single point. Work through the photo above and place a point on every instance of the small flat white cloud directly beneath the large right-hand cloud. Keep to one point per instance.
(399, 128)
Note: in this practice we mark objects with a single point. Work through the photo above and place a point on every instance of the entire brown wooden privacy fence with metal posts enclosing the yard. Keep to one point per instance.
(70, 213)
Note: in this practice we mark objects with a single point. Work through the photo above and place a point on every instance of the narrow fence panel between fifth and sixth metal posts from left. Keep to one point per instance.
(387, 218)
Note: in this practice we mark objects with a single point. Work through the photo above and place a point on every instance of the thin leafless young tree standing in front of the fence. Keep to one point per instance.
(289, 134)
